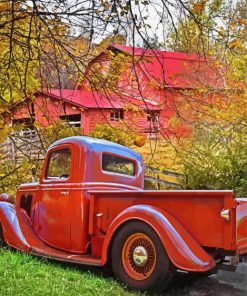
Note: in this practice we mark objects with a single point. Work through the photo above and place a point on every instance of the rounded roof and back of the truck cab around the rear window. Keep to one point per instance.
(90, 163)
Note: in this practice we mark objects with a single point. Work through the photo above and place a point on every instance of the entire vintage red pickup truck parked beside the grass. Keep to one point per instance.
(89, 207)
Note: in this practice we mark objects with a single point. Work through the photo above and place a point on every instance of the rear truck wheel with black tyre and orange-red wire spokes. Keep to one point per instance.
(138, 257)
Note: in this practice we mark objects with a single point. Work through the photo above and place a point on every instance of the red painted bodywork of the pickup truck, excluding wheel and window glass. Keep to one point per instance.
(75, 218)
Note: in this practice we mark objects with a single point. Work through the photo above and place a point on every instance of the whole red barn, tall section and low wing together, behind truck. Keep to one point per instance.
(140, 88)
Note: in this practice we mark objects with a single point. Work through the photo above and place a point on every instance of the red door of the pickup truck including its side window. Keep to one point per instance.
(53, 220)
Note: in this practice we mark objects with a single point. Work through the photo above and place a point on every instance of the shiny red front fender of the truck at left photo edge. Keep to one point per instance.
(11, 229)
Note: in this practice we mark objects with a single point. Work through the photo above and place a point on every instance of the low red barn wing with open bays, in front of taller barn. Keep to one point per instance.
(85, 109)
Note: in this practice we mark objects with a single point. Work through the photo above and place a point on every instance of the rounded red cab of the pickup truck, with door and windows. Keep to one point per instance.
(59, 203)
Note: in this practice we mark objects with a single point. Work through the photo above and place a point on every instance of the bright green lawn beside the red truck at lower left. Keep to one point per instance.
(23, 275)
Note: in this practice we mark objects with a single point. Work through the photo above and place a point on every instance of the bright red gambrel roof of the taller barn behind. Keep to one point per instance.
(173, 69)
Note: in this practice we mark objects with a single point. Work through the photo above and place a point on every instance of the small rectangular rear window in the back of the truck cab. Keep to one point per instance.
(116, 164)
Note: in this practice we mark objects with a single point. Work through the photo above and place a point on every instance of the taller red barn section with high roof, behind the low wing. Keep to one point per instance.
(179, 83)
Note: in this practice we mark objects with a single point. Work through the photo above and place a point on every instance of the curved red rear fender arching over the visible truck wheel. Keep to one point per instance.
(182, 249)
